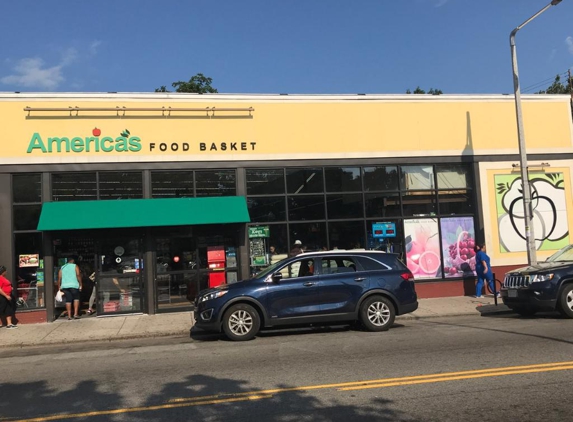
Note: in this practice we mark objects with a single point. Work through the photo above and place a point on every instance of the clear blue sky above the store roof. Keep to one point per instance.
(288, 46)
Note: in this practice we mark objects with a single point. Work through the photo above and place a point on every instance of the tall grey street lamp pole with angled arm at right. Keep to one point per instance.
(527, 210)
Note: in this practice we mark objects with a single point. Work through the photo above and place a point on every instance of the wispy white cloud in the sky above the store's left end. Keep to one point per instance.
(32, 72)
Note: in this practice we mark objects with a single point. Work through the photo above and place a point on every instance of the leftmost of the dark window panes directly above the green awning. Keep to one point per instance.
(74, 186)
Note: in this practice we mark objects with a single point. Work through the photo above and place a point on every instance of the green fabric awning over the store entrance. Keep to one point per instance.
(109, 214)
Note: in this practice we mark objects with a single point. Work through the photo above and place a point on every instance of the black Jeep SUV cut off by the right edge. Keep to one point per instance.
(547, 286)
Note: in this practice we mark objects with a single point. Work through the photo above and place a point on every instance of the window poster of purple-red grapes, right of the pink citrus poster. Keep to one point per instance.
(458, 241)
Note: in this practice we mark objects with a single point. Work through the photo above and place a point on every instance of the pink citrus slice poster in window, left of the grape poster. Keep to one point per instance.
(423, 247)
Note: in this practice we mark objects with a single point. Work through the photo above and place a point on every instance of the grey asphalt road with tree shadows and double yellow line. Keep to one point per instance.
(454, 369)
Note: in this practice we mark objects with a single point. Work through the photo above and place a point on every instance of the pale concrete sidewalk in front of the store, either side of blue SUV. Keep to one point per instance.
(89, 329)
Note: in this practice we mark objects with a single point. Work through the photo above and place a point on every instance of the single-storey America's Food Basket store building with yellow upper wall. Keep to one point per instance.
(161, 195)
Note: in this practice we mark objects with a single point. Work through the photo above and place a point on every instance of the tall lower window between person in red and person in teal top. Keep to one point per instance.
(29, 269)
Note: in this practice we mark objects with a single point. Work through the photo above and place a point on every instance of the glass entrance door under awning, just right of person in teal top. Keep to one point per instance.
(119, 279)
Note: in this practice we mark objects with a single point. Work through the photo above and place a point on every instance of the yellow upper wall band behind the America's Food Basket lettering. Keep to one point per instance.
(287, 127)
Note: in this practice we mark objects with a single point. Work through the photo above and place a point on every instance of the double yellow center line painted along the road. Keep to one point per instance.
(347, 386)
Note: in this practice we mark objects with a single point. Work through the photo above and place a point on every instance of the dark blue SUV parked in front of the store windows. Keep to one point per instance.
(371, 287)
